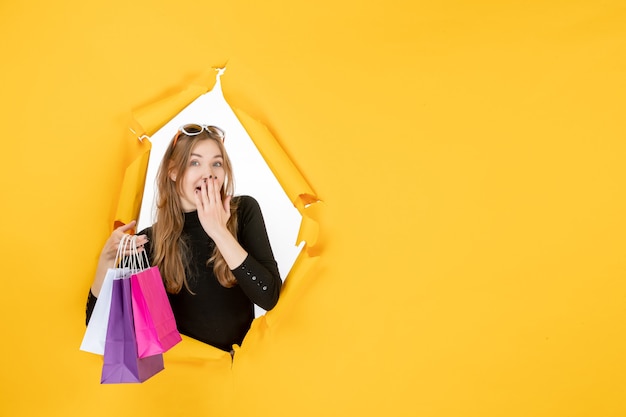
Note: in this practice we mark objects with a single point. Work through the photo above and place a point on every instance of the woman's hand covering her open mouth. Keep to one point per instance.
(212, 211)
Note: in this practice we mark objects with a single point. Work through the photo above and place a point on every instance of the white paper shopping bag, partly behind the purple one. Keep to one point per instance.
(95, 334)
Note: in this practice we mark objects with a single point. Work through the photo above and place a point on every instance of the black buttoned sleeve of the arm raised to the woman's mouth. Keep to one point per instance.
(258, 275)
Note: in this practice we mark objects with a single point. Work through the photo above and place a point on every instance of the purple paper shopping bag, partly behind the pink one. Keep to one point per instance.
(121, 362)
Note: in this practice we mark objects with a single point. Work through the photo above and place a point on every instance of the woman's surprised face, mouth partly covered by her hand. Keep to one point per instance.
(206, 160)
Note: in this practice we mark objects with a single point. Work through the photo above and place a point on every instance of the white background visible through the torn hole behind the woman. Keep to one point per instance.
(252, 175)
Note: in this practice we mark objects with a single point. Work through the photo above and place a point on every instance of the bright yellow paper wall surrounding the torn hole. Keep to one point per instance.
(470, 156)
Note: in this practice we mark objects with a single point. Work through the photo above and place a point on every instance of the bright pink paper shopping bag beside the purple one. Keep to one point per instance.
(155, 325)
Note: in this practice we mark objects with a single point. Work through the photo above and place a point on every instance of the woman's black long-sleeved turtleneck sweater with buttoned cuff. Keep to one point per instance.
(217, 315)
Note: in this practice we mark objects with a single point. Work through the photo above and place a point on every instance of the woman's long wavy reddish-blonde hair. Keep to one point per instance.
(168, 248)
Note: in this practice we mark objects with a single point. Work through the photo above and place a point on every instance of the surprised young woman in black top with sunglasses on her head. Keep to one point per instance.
(212, 249)
